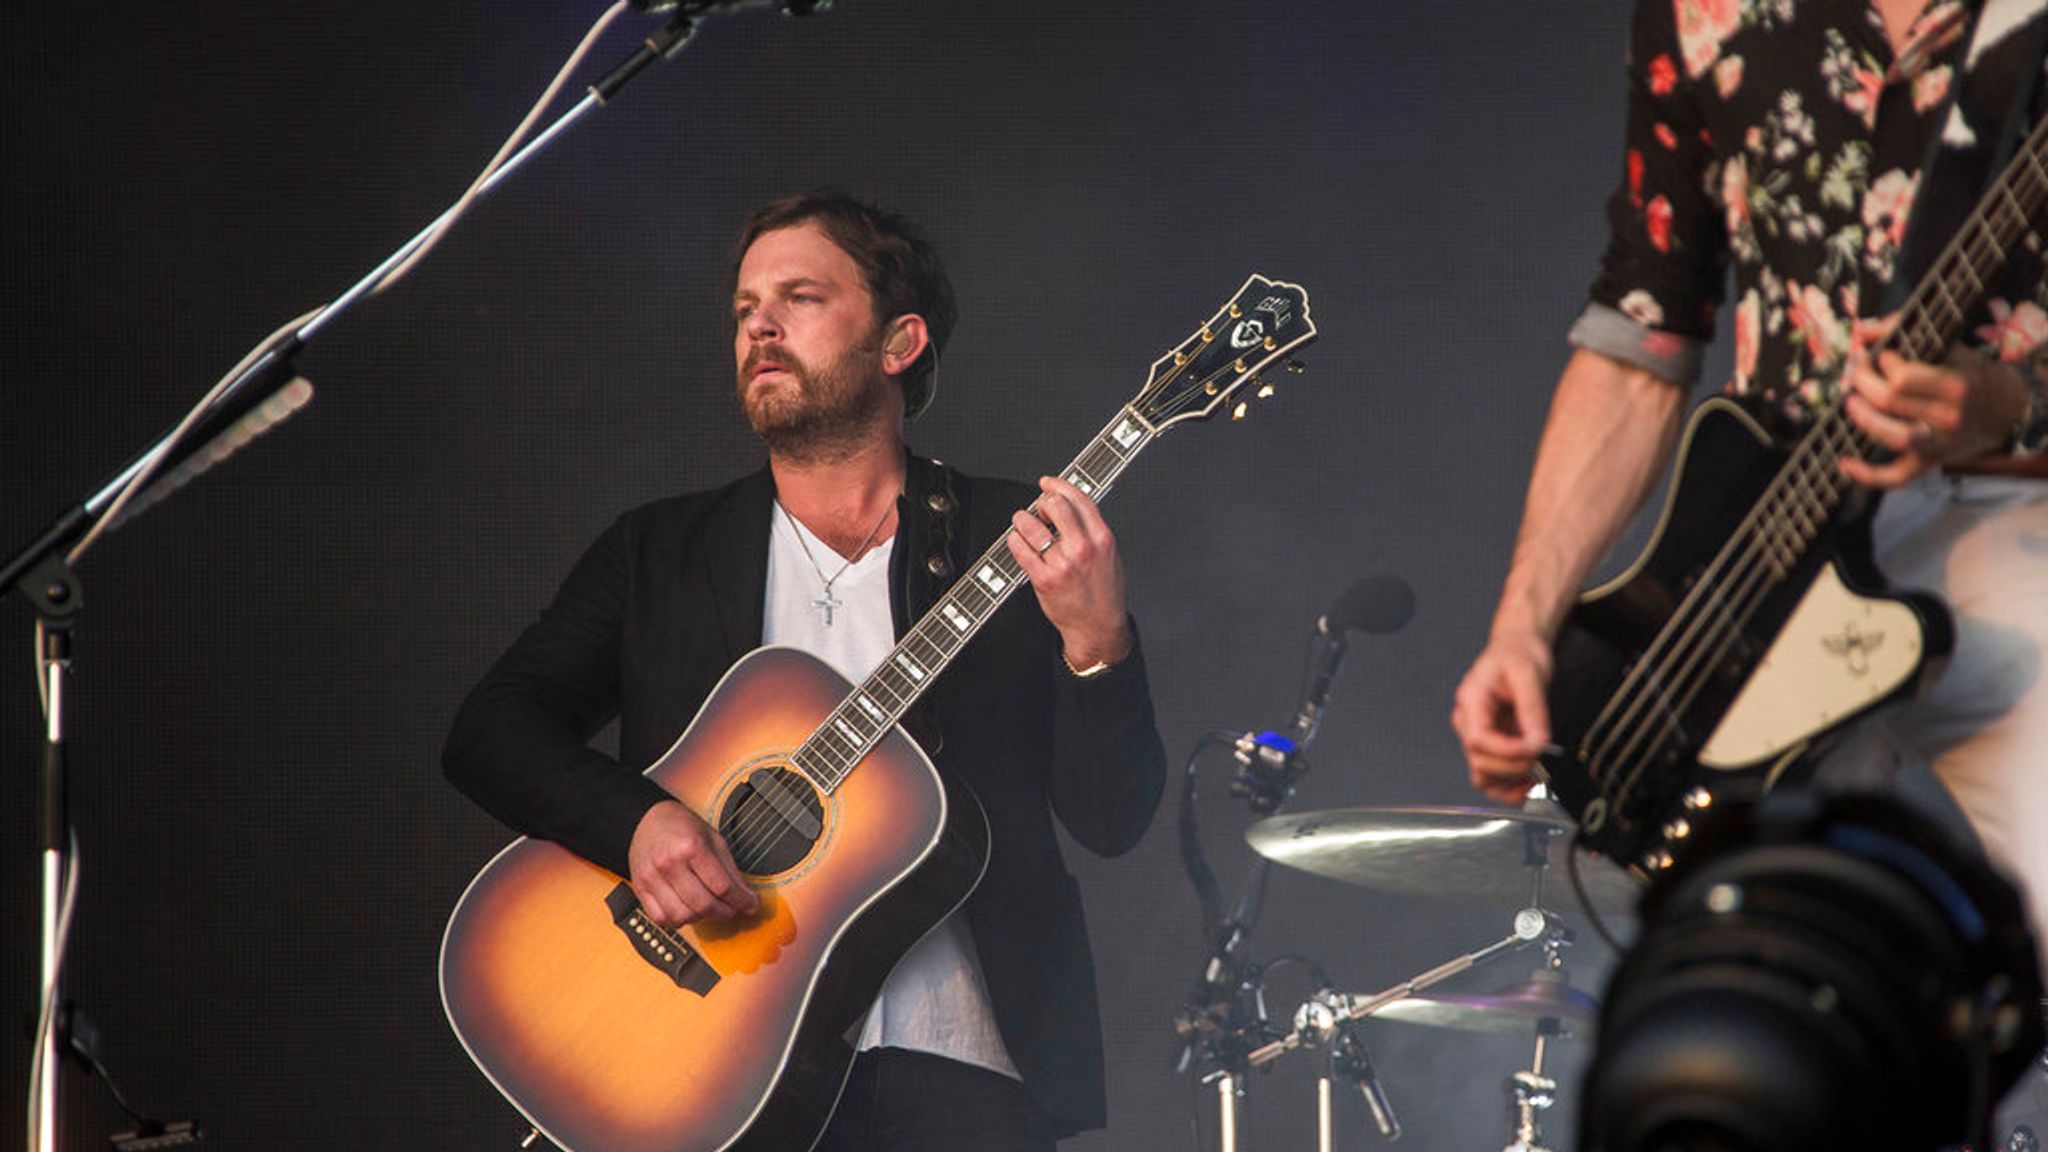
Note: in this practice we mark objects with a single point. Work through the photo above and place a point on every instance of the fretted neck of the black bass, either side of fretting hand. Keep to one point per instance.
(1811, 487)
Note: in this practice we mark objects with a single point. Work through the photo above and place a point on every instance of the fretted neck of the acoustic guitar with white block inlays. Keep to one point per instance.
(941, 634)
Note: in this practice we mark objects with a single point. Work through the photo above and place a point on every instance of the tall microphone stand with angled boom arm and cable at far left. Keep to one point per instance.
(44, 577)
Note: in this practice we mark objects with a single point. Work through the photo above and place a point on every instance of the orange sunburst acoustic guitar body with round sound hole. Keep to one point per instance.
(613, 1038)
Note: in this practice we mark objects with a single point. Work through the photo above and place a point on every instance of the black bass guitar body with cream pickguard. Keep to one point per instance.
(1639, 753)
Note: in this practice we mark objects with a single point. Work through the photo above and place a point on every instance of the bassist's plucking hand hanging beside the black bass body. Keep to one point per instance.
(1502, 716)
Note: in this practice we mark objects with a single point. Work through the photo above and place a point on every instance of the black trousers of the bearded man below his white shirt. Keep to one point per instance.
(914, 1102)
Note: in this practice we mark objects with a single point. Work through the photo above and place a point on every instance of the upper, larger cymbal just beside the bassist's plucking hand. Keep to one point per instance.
(1441, 852)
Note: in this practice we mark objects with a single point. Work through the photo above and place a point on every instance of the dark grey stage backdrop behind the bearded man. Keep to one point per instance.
(269, 663)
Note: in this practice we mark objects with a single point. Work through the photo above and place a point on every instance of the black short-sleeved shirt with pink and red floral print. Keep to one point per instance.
(1785, 138)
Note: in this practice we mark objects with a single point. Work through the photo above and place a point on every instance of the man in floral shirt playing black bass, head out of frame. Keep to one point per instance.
(1789, 138)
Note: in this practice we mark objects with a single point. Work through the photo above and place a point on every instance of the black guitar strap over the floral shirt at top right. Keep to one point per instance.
(1986, 120)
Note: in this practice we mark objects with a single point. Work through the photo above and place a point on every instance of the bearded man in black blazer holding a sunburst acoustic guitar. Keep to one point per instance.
(986, 1036)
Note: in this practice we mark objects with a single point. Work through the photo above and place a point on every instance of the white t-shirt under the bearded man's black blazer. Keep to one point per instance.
(937, 999)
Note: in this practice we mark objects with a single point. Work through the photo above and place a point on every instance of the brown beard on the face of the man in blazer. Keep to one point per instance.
(830, 415)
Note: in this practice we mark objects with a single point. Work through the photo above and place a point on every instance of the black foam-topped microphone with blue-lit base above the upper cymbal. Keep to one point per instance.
(1271, 762)
